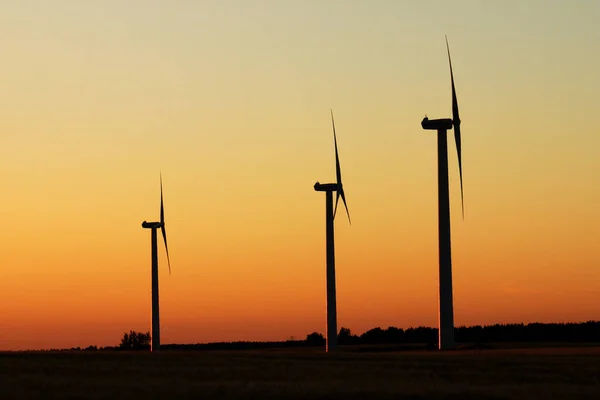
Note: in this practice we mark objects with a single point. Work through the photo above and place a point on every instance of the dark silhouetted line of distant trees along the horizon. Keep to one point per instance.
(584, 332)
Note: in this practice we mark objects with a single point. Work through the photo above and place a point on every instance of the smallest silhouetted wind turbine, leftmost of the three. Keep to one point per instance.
(155, 346)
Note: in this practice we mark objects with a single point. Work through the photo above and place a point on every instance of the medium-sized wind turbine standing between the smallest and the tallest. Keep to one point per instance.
(330, 212)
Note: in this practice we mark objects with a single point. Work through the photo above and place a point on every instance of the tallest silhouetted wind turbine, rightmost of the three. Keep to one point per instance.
(446, 321)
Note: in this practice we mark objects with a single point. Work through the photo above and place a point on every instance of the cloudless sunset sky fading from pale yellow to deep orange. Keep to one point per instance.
(230, 100)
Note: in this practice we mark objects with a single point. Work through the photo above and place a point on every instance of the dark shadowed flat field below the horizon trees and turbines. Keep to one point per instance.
(501, 373)
